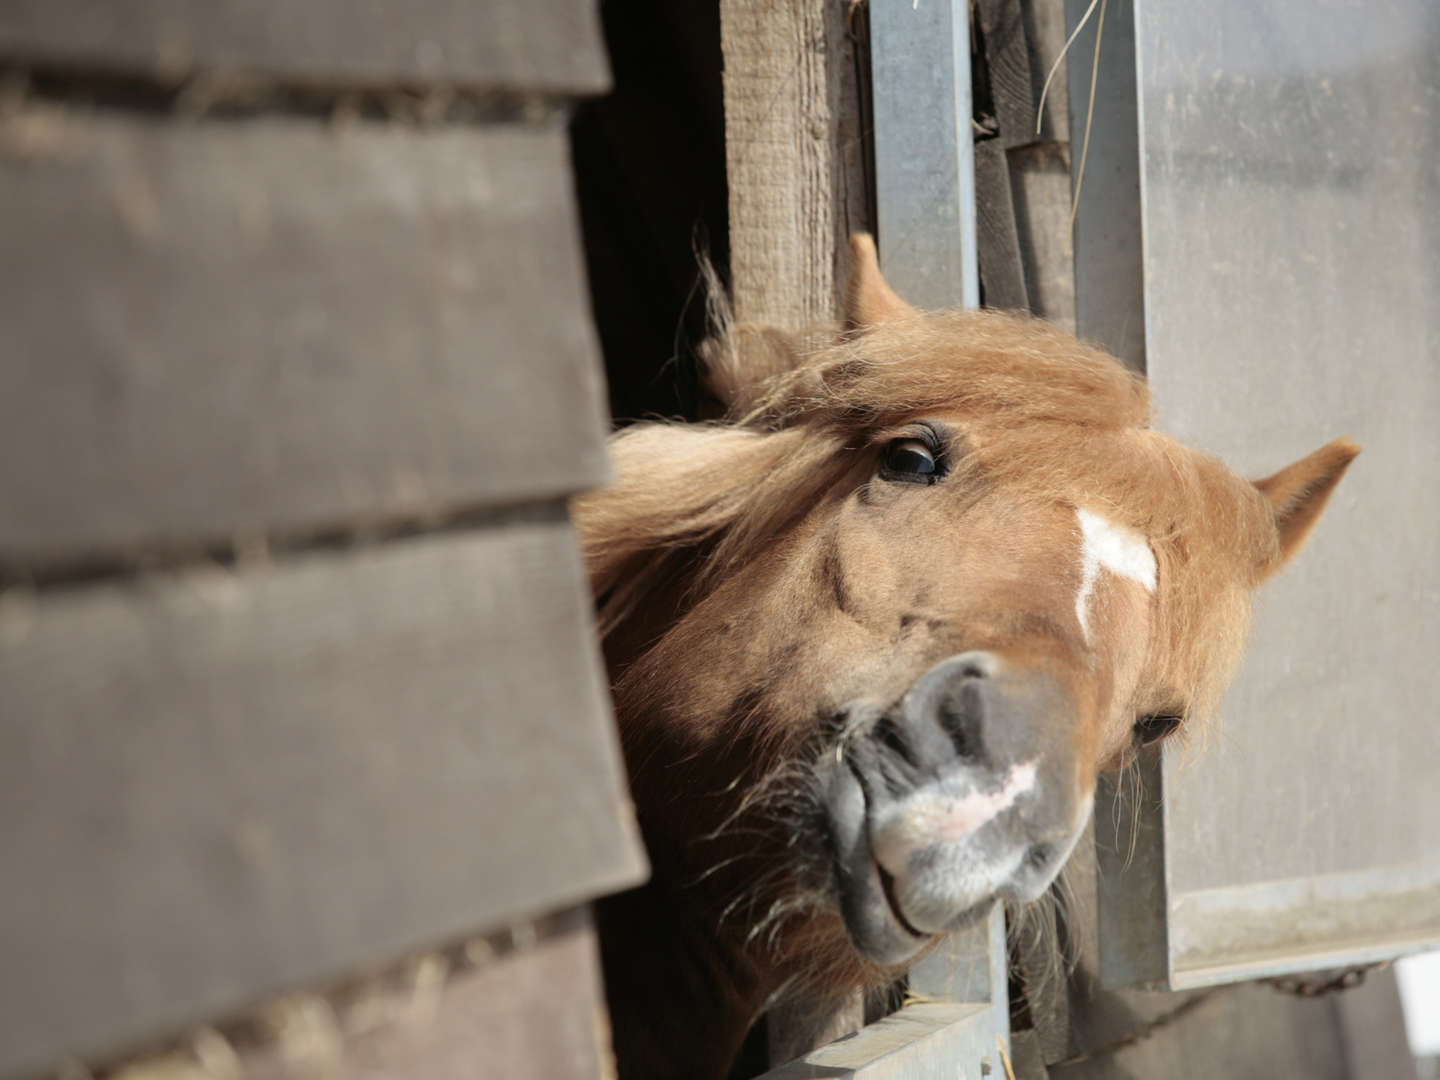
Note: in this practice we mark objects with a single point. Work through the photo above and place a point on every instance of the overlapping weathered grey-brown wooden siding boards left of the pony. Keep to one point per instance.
(296, 666)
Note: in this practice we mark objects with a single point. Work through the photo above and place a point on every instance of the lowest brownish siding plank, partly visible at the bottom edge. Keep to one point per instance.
(525, 1003)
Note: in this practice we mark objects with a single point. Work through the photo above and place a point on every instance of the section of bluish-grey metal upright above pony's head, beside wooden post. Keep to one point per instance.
(925, 156)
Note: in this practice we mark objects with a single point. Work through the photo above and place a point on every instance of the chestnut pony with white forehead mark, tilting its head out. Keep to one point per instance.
(873, 639)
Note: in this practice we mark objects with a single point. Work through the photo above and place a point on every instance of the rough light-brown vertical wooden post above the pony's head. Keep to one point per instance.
(794, 158)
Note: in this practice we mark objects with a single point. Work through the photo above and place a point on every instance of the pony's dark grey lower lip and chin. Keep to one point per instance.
(873, 919)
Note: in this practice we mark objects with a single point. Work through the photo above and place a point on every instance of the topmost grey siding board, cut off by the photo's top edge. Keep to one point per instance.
(498, 44)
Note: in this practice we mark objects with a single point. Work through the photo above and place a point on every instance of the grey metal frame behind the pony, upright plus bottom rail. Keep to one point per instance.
(925, 197)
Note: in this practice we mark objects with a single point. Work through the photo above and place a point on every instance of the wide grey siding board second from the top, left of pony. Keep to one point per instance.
(263, 326)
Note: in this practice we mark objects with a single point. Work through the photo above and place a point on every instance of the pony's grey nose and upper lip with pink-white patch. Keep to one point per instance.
(970, 790)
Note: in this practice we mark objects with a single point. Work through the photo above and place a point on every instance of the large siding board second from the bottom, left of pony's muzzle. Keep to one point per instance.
(218, 784)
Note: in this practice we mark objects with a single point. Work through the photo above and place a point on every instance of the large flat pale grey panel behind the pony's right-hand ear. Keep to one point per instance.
(1291, 266)
